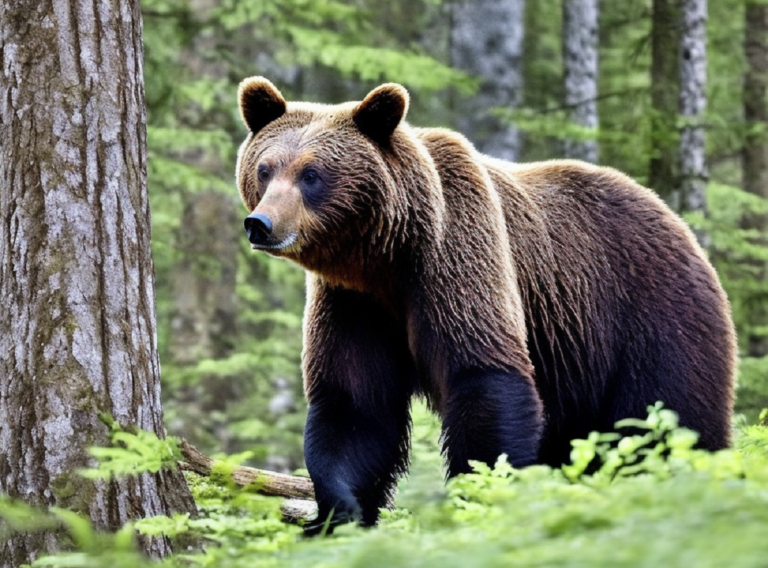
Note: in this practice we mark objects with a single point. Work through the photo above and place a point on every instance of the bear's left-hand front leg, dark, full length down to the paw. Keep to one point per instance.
(358, 381)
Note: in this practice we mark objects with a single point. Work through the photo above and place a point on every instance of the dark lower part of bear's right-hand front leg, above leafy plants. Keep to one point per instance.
(490, 412)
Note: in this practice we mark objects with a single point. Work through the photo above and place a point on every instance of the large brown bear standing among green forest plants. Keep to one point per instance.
(529, 304)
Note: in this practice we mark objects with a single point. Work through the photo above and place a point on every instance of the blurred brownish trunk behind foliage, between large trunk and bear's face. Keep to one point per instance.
(203, 319)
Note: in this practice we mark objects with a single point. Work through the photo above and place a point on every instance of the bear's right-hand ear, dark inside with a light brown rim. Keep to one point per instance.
(381, 111)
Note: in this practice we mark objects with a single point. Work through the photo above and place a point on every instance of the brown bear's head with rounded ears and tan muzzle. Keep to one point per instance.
(330, 187)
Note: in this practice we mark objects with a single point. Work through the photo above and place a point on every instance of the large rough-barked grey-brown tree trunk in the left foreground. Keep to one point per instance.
(77, 320)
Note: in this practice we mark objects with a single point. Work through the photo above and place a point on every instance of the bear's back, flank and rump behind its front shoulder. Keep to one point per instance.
(609, 277)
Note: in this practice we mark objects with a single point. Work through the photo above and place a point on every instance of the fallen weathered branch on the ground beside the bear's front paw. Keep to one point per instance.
(299, 491)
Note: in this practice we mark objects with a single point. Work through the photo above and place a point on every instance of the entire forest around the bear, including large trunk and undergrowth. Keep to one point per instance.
(672, 92)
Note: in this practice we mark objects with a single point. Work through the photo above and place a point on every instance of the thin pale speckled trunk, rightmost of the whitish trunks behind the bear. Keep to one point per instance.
(693, 101)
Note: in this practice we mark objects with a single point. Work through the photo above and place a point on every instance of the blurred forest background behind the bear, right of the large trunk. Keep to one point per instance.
(524, 80)
